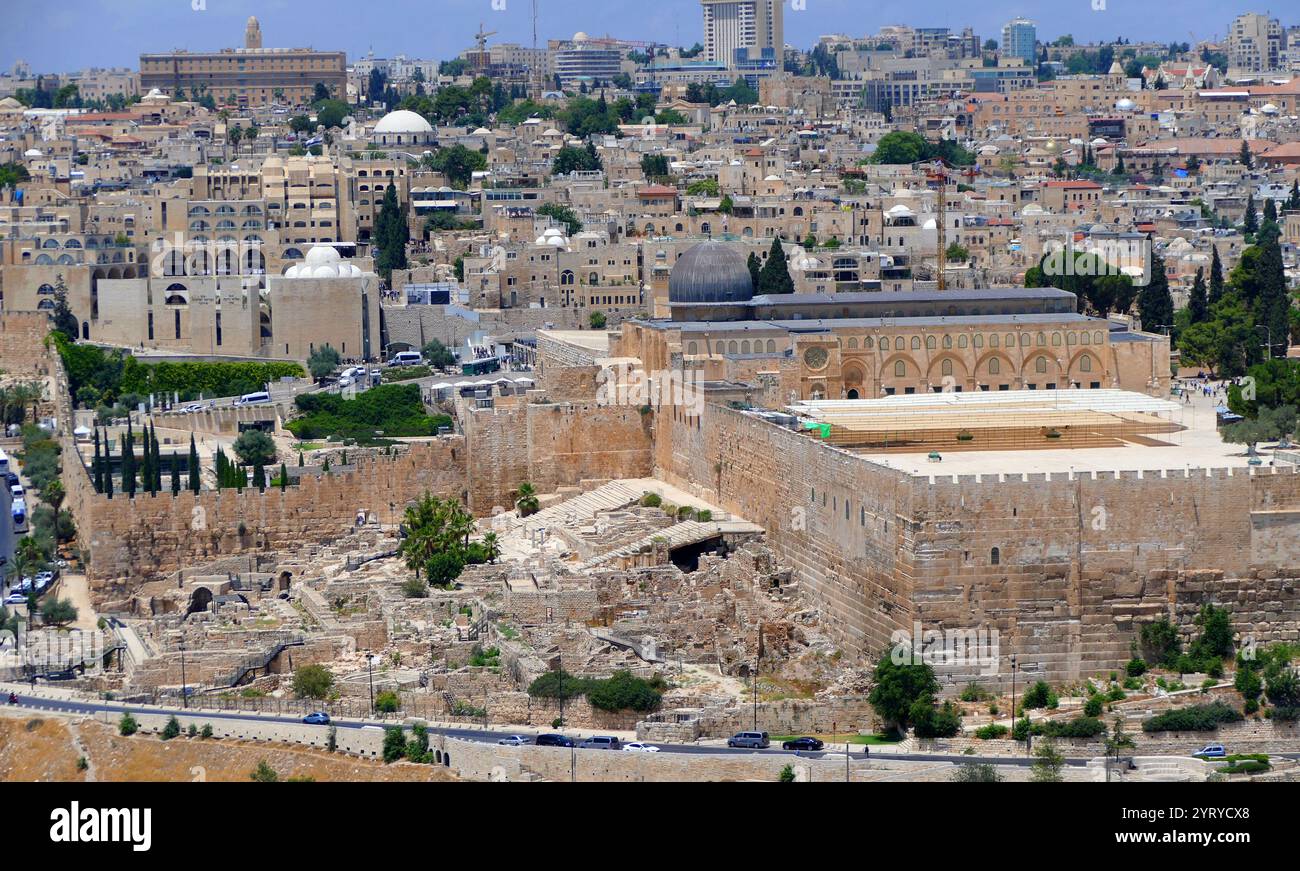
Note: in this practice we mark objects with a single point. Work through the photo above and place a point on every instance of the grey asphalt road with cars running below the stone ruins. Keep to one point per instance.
(493, 736)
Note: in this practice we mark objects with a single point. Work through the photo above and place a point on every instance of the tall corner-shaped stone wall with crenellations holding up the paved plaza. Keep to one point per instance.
(1064, 567)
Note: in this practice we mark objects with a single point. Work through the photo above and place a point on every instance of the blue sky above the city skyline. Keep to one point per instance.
(68, 36)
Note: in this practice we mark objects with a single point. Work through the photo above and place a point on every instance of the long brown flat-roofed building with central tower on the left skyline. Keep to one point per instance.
(250, 76)
